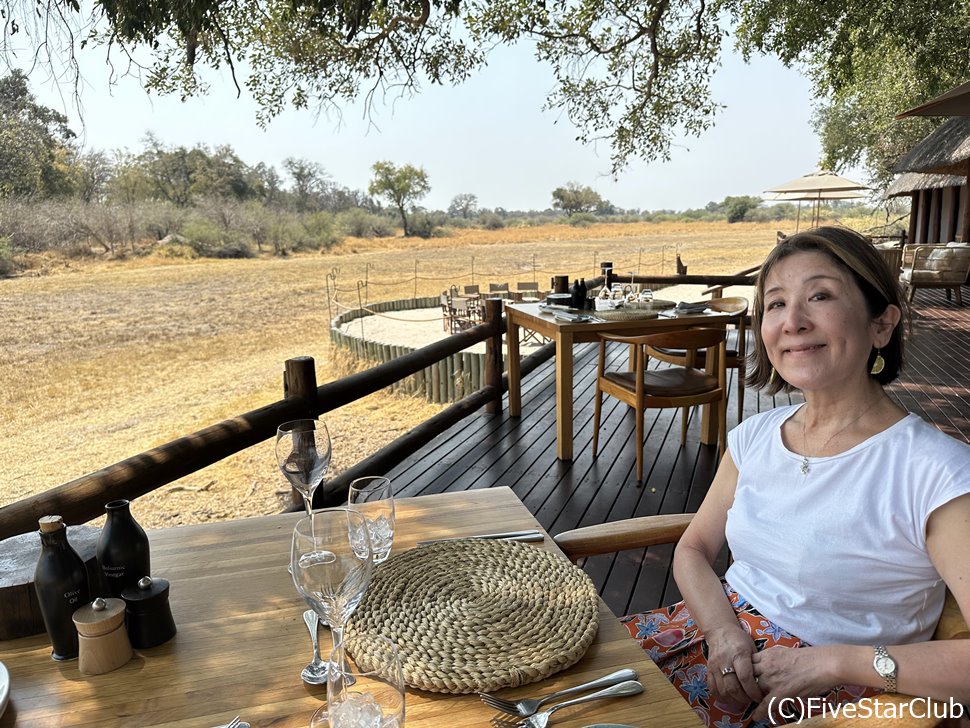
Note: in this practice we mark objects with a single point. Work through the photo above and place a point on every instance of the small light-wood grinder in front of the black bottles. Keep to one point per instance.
(102, 638)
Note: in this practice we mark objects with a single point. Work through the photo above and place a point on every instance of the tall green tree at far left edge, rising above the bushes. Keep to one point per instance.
(36, 144)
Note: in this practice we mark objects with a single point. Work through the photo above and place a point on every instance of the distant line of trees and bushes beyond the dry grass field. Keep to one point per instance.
(200, 201)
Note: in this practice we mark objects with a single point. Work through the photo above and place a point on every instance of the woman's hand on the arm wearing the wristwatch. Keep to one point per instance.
(784, 672)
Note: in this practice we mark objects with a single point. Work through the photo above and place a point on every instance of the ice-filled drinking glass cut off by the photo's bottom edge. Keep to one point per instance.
(366, 687)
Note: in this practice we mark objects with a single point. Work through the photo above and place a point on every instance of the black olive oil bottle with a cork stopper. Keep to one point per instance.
(61, 583)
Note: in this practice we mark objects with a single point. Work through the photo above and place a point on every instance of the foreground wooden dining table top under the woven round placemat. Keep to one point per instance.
(241, 640)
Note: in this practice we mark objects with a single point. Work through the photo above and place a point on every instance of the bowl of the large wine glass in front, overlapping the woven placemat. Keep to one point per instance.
(331, 563)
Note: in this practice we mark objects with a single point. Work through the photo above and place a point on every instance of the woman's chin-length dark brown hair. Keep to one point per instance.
(869, 270)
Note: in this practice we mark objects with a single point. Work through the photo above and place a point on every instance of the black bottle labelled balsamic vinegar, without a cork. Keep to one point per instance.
(123, 555)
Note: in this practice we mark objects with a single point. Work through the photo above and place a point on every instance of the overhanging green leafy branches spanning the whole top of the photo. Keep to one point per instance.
(633, 73)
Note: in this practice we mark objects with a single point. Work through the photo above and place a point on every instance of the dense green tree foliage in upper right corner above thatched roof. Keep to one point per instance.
(869, 61)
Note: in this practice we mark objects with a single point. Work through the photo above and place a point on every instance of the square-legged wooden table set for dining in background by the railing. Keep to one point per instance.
(567, 333)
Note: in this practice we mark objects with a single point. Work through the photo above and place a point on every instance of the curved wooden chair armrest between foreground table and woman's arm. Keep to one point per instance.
(631, 533)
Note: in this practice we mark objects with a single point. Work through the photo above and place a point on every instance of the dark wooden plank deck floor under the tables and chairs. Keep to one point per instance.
(484, 450)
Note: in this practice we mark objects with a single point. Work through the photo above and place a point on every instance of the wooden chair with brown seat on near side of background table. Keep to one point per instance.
(701, 379)
